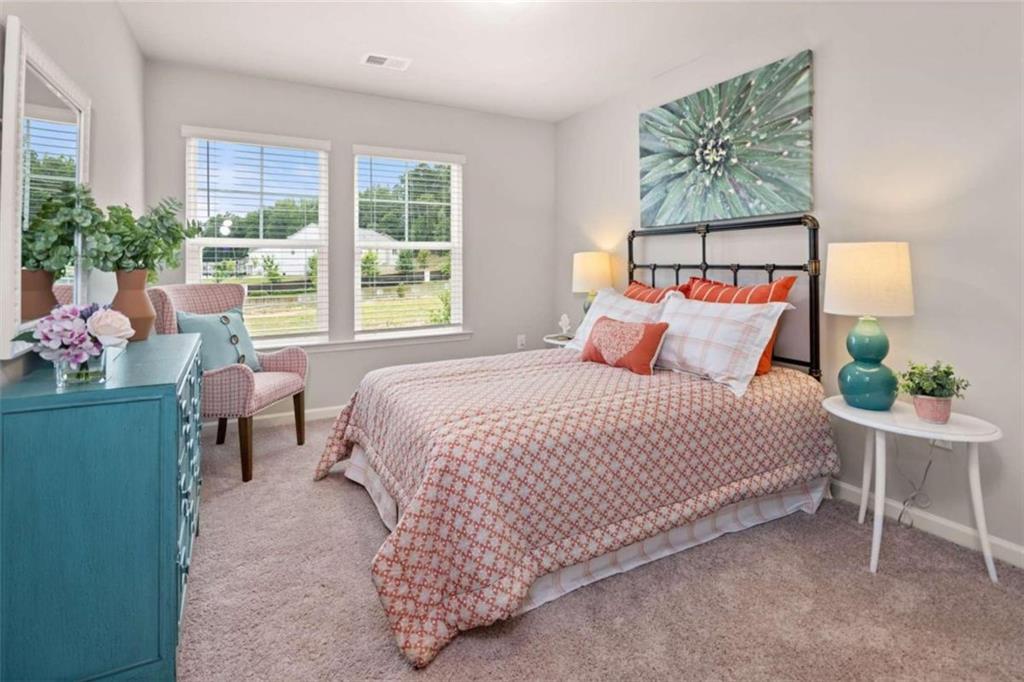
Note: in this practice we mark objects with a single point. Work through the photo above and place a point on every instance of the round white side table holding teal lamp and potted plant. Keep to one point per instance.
(903, 420)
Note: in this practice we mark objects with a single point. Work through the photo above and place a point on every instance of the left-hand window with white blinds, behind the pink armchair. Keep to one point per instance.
(263, 204)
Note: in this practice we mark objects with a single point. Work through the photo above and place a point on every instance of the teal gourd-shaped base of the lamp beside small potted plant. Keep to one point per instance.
(866, 382)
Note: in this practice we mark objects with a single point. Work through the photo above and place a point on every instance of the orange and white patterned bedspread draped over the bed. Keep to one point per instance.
(508, 467)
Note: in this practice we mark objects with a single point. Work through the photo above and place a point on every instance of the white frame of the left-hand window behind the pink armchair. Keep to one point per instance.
(194, 247)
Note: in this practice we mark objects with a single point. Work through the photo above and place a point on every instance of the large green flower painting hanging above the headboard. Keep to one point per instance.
(739, 149)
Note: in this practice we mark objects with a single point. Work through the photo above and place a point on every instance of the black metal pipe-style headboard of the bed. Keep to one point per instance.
(813, 267)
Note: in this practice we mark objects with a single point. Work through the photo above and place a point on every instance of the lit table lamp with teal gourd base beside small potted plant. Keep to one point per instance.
(870, 280)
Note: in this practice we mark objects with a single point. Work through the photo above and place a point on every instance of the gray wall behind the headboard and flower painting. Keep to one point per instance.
(918, 138)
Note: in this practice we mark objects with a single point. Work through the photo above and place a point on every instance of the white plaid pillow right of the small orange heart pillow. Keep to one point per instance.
(721, 342)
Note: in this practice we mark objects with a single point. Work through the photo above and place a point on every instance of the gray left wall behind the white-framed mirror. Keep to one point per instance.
(94, 46)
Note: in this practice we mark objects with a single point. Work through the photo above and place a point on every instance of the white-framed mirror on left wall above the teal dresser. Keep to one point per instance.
(45, 143)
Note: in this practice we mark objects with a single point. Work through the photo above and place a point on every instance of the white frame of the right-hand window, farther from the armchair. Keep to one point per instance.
(454, 245)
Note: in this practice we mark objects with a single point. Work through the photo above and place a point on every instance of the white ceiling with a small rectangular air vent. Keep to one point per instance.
(541, 61)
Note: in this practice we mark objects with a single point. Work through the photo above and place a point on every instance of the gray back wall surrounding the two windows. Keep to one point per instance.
(509, 181)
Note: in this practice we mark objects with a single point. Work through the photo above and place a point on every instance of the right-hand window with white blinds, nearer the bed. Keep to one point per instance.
(408, 240)
